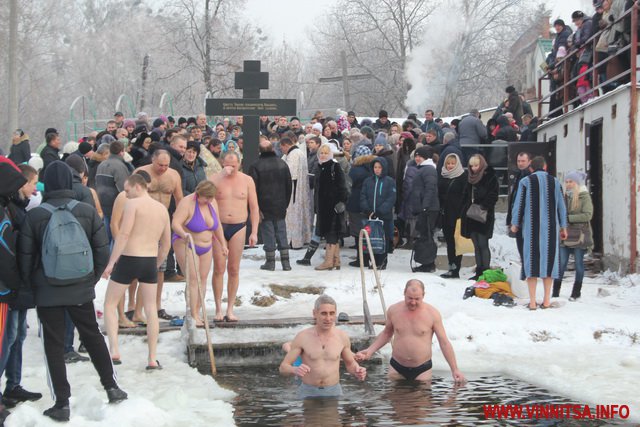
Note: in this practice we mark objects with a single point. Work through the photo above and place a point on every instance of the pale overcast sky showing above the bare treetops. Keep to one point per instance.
(289, 18)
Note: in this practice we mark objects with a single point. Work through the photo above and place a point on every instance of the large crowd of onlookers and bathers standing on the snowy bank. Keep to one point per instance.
(149, 190)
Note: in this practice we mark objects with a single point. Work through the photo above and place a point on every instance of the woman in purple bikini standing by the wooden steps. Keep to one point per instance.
(196, 214)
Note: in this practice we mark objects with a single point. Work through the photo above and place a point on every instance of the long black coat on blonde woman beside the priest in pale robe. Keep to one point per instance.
(330, 189)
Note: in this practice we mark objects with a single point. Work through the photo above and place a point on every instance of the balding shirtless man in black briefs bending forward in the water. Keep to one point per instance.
(412, 324)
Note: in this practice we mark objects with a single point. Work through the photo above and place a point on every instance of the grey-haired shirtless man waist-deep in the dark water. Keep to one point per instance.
(321, 348)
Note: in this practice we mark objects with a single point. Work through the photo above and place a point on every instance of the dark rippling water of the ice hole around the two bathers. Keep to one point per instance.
(267, 399)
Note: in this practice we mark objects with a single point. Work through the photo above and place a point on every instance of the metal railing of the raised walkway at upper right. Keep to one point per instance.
(565, 66)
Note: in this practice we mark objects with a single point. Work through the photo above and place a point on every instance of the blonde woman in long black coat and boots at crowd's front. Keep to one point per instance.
(330, 197)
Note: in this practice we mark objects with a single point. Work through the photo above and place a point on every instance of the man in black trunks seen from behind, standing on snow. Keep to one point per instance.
(142, 244)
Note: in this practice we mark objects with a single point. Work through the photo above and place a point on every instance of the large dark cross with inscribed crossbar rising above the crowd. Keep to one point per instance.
(251, 80)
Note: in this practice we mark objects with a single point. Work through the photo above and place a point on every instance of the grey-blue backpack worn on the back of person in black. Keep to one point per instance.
(66, 252)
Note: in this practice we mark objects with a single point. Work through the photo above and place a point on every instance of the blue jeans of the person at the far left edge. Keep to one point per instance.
(16, 334)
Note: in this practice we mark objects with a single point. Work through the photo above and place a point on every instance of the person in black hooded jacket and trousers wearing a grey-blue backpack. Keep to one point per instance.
(75, 298)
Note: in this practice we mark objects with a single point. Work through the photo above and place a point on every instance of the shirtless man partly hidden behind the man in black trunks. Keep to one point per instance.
(165, 182)
